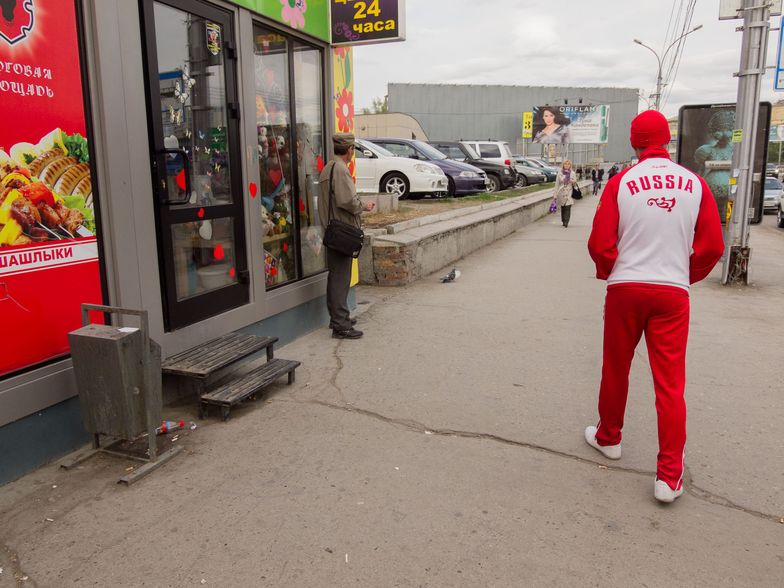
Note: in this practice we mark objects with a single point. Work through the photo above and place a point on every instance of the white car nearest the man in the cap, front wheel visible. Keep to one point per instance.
(379, 170)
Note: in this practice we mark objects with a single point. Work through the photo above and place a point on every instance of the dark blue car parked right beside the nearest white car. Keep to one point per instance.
(462, 178)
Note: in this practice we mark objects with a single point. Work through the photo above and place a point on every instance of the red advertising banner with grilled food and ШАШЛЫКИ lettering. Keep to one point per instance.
(48, 247)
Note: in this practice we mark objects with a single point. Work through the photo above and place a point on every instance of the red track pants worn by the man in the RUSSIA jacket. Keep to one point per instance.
(662, 313)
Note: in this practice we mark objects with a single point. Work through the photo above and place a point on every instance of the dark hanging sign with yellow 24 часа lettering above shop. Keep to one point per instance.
(358, 22)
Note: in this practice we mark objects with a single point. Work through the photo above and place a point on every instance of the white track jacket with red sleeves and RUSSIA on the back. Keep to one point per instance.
(656, 223)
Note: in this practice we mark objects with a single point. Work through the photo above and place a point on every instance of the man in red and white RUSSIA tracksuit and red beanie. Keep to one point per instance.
(656, 231)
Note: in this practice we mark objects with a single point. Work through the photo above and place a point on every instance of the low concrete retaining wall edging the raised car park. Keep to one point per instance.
(407, 251)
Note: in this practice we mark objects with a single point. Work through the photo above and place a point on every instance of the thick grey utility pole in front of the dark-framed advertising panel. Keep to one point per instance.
(756, 14)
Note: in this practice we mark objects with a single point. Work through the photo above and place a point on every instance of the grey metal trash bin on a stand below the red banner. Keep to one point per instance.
(118, 377)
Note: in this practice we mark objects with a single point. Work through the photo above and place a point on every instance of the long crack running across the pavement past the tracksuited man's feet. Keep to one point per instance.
(411, 425)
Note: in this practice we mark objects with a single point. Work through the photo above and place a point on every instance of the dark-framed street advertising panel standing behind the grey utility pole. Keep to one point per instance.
(705, 146)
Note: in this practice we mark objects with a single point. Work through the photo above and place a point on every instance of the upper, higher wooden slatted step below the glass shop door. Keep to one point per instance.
(212, 356)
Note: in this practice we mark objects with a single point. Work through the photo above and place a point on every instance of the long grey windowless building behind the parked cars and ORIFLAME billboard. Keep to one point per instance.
(450, 111)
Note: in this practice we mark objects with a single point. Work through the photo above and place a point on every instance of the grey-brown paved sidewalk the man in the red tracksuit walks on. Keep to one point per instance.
(445, 449)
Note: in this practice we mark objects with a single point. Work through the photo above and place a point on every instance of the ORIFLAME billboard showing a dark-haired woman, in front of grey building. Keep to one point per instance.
(586, 124)
